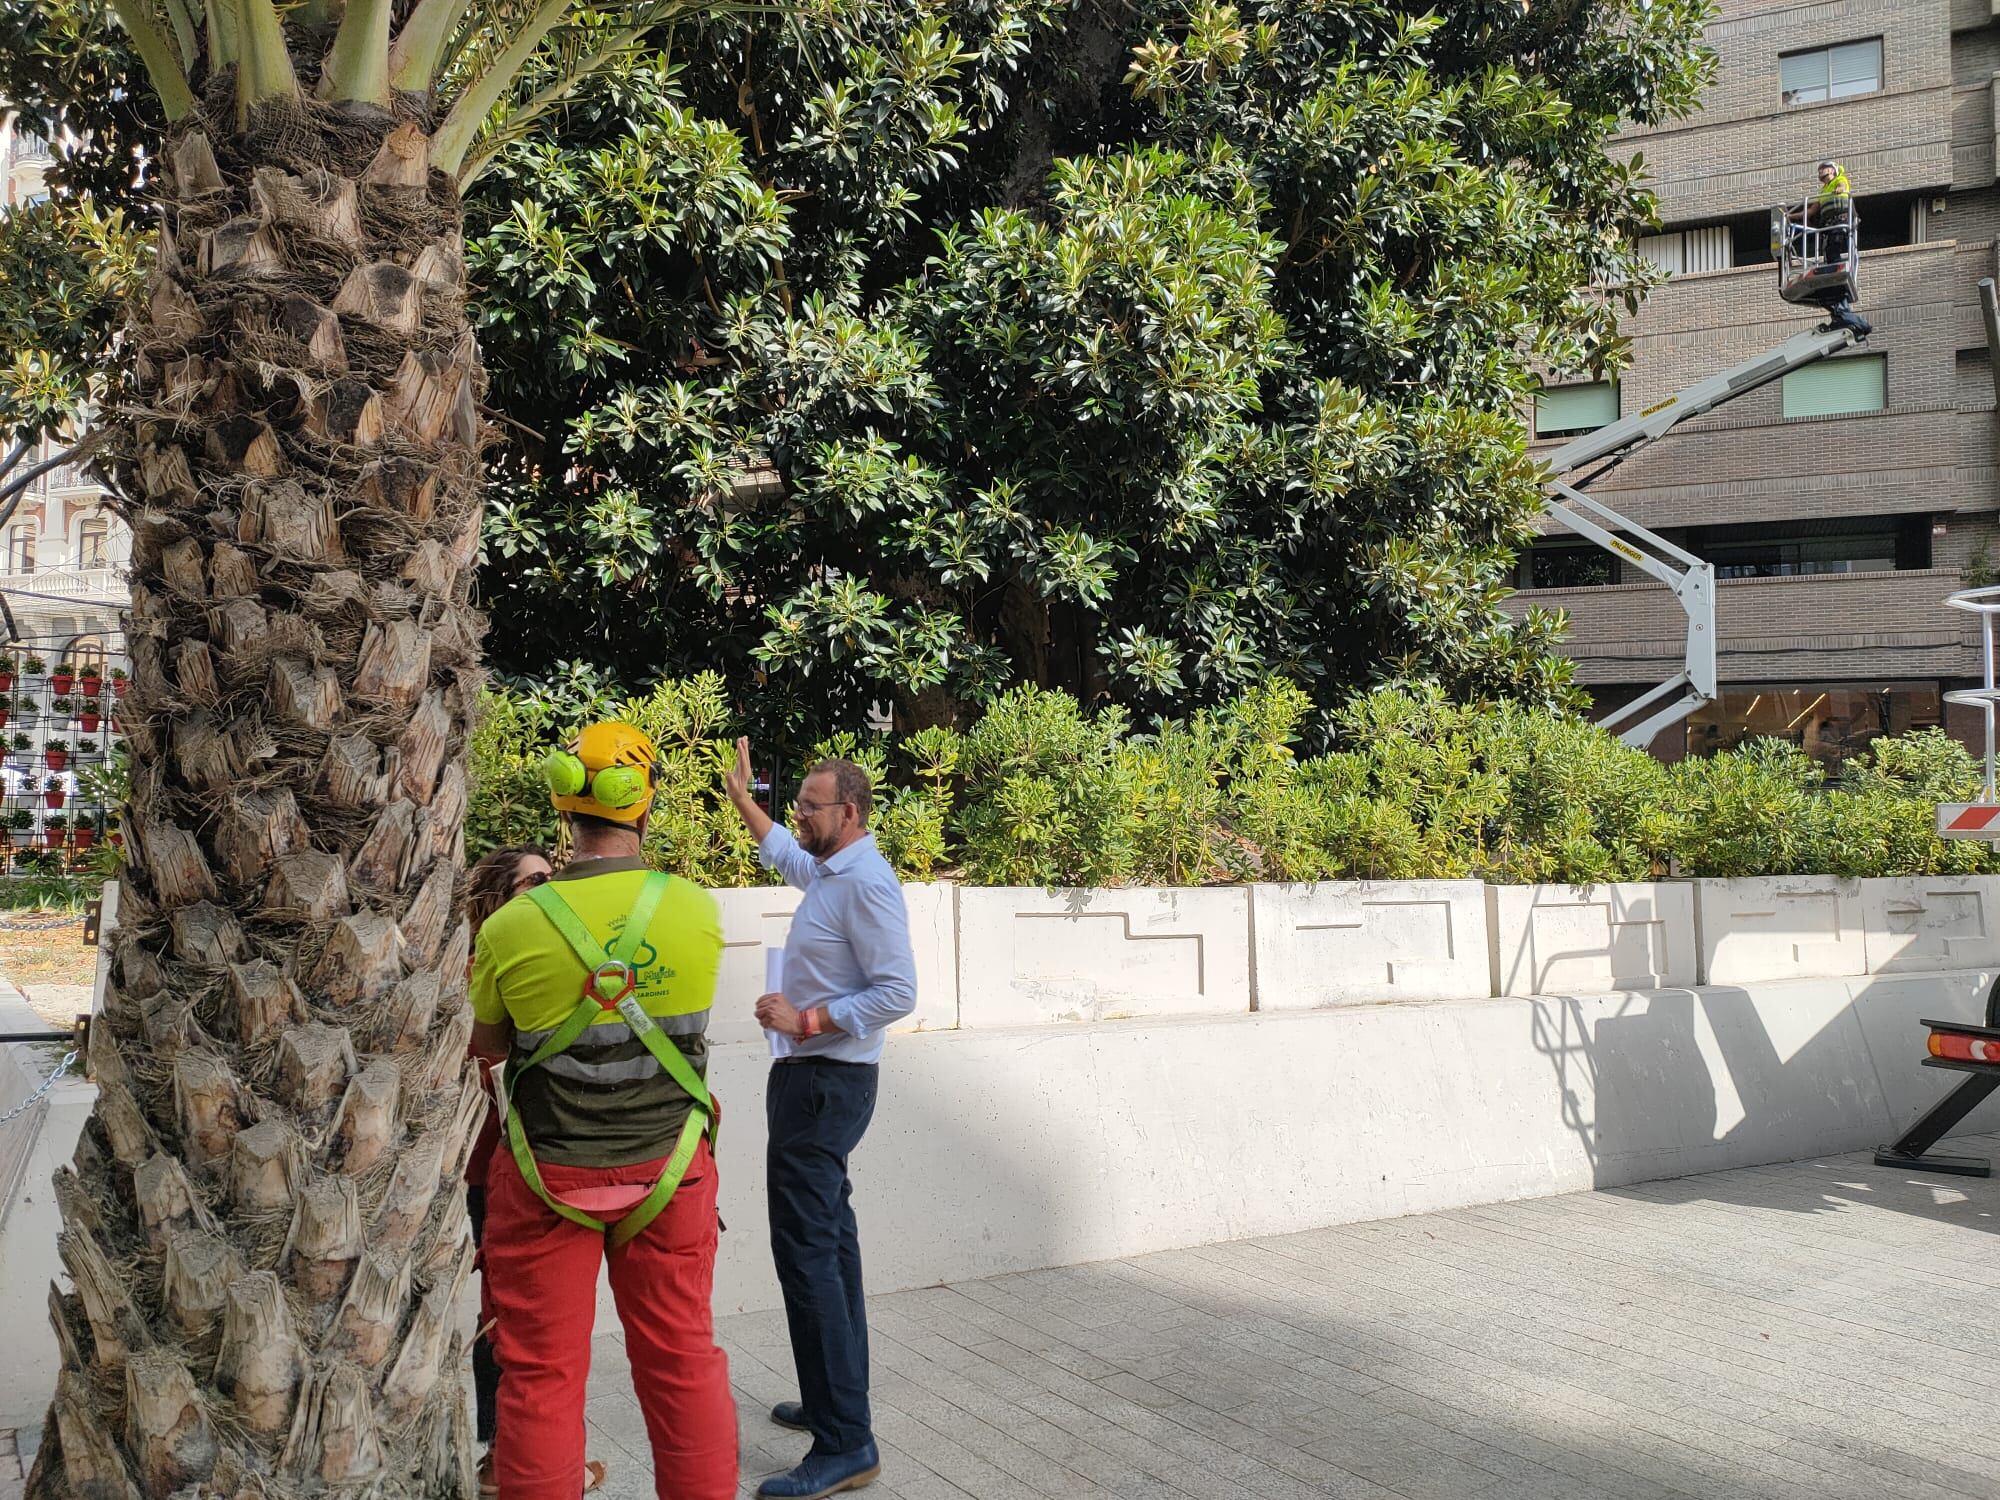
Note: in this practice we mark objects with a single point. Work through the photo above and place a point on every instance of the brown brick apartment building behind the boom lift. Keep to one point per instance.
(1845, 503)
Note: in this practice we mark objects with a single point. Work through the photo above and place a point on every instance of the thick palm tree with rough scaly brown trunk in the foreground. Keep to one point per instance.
(265, 1225)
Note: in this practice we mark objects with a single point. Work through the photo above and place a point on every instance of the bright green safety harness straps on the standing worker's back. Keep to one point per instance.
(673, 1061)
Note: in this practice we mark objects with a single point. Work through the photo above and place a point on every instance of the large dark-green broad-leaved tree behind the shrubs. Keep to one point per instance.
(1135, 351)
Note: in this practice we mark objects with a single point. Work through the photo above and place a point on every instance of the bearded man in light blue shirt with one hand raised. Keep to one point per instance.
(849, 977)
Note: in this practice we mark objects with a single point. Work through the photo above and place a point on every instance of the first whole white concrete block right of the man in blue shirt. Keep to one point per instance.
(1045, 957)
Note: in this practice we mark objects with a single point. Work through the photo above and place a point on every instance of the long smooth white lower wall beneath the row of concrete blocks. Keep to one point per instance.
(1013, 1149)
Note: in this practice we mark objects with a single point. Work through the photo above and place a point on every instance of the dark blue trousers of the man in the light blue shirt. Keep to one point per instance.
(817, 1113)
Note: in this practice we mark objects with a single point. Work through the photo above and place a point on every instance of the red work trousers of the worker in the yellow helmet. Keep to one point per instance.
(543, 1289)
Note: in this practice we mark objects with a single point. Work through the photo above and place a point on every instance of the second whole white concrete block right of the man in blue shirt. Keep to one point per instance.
(1365, 943)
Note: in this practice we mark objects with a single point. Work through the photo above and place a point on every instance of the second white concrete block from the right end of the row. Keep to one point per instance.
(1781, 929)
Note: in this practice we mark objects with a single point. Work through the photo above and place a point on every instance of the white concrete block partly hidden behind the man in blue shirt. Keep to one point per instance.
(761, 919)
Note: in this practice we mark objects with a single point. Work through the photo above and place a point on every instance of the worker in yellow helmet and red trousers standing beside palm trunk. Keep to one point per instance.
(595, 989)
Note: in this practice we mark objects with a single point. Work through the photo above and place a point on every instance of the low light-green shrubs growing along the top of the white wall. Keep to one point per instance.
(1039, 793)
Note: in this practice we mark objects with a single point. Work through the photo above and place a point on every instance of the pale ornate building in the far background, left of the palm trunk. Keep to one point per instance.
(63, 551)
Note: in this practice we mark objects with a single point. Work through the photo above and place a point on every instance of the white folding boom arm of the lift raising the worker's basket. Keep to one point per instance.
(1691, 579)
